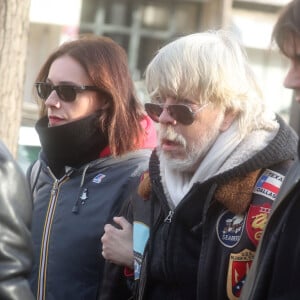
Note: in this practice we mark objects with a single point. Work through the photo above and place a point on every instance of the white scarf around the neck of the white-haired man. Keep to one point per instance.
(213, 154)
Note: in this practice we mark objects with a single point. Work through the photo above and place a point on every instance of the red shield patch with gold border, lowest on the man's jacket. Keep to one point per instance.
(239, 265)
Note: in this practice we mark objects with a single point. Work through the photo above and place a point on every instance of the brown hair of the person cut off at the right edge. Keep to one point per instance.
(287, 27)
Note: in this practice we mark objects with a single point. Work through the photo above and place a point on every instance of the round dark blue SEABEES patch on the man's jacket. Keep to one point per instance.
(230, 228)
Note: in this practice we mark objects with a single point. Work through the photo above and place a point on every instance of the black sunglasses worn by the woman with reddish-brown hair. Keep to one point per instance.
(66, 93)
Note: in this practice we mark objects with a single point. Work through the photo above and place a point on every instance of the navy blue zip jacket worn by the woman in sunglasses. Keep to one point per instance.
(68, 220)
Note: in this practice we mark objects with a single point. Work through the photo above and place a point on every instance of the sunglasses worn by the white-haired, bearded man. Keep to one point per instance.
(179, 112)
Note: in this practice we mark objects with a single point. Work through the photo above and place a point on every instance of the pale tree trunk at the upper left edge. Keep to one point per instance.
(14, 26)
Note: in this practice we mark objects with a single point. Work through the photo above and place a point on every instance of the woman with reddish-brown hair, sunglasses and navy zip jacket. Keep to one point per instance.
(96, 140)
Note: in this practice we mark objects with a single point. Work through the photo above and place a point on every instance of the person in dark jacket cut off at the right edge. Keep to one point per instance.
(275, 273)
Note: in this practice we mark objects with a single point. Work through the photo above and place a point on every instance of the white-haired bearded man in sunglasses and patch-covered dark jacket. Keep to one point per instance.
(222, 155)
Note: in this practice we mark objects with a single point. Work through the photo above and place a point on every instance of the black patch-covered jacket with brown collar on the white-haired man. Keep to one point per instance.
(205, 246)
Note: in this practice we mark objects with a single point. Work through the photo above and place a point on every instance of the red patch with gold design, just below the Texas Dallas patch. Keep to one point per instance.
(256, 221)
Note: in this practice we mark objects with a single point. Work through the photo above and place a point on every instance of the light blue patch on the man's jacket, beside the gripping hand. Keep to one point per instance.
(140, 238)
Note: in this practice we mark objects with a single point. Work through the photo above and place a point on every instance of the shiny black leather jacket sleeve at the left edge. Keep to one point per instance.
(15, 239)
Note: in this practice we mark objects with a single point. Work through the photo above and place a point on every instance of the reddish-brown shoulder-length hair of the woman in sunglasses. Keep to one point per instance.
(105, 62)
